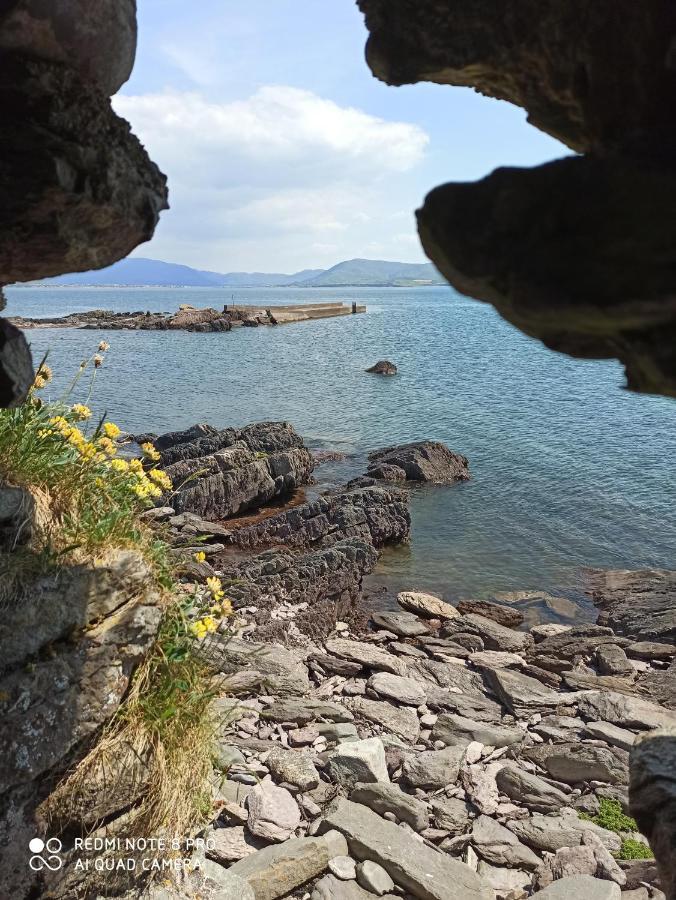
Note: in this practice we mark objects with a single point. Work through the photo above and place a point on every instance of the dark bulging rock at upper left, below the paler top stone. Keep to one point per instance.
(87, 196)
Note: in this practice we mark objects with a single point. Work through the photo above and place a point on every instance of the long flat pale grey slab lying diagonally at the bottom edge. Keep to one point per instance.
(423, 872)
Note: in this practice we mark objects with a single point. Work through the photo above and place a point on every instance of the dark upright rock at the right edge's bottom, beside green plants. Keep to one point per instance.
(652, 792)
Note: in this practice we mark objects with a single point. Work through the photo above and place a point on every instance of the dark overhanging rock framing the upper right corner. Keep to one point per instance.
(578, 253)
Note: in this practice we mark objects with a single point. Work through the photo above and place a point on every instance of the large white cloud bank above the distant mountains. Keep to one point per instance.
(264, 182)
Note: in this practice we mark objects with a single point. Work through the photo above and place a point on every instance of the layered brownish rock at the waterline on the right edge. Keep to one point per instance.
(640, 604)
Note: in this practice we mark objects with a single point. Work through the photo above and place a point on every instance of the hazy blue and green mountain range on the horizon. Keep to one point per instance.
(136, 271)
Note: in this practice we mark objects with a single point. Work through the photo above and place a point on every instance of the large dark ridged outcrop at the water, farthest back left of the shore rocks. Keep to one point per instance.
(226, 472)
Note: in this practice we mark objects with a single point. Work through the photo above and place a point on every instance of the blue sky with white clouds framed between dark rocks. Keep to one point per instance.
(282, 151)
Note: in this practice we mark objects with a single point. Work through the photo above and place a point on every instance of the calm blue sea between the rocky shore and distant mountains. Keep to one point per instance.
(568, 469)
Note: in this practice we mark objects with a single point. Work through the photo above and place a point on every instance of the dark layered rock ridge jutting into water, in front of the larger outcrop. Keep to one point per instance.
(376, 515)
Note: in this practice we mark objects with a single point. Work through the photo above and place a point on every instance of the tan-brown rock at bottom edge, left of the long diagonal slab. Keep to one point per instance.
(278, 870)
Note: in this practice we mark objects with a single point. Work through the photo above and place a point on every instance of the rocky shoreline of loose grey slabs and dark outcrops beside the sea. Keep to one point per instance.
(434, 752)
